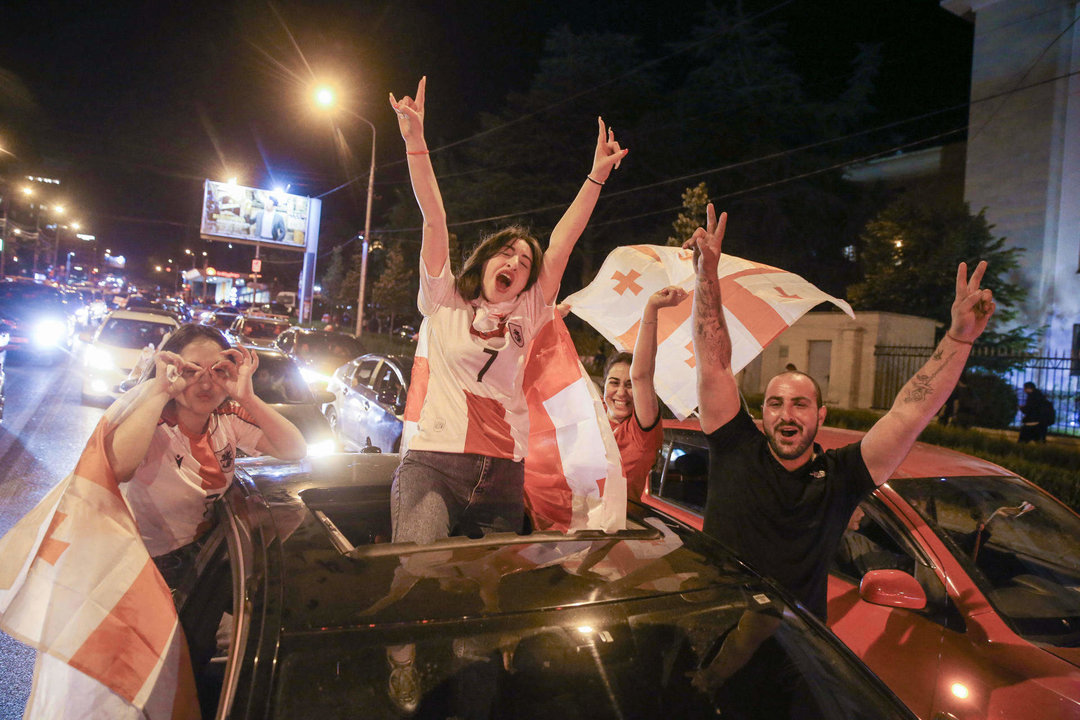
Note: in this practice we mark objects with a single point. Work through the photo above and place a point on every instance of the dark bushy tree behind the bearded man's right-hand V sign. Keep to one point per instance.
(910, 253)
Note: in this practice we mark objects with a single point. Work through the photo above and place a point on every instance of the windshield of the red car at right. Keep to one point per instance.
(1021, 547)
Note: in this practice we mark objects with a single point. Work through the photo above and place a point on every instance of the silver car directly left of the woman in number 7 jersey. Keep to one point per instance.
(369, 407)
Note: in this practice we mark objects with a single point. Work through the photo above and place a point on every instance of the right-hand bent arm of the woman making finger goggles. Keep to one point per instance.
(281, 439)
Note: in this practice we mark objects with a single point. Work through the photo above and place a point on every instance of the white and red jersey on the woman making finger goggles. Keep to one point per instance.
(182, 474)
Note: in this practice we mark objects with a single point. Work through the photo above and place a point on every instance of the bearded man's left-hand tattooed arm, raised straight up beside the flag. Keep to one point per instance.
(718, 392)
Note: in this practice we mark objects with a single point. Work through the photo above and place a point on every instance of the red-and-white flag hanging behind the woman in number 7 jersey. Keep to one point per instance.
(573, 473)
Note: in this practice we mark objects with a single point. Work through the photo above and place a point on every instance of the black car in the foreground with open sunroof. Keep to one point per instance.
(296, 595)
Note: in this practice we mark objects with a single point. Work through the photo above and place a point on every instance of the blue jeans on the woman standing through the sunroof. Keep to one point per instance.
(437, 495)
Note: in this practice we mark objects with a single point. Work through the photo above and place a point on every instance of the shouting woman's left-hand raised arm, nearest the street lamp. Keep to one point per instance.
(437, 238)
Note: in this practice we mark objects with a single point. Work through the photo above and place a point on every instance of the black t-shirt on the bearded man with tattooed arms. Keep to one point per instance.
(787, 525)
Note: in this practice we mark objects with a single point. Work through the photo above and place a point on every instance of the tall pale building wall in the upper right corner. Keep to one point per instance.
(1024, 148)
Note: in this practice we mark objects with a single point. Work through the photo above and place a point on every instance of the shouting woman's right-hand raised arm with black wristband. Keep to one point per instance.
(606, 158)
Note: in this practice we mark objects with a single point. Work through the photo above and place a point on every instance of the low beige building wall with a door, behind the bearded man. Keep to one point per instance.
(849, 379)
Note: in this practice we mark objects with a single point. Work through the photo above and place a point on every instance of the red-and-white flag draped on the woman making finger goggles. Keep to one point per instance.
(77, 585)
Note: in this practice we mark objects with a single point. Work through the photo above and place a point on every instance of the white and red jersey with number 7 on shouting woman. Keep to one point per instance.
(466, 393)
